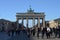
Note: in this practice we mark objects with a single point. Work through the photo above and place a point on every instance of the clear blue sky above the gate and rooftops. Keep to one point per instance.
(9, 8)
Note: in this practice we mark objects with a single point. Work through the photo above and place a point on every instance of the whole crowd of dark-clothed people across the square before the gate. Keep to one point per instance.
(44, 31)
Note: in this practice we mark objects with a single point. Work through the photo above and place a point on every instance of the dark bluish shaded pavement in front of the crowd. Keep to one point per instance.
(22, 36)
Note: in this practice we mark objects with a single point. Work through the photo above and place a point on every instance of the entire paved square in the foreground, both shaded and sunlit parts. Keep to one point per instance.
(23, 36)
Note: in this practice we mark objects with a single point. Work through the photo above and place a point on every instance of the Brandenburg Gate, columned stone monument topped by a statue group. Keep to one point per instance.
(30, 14)
